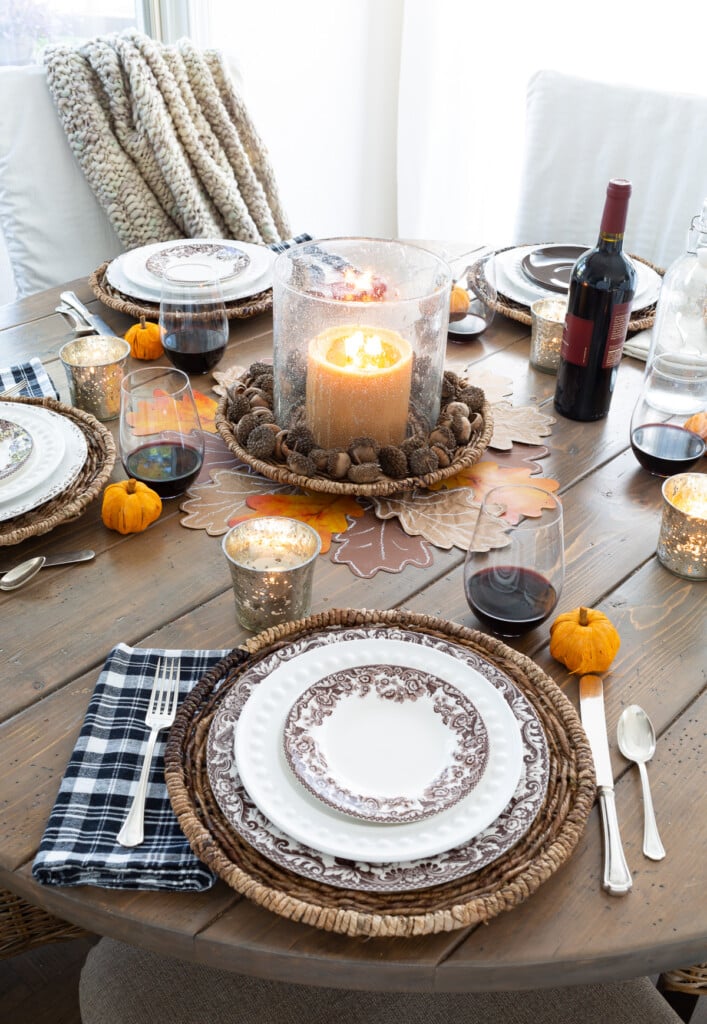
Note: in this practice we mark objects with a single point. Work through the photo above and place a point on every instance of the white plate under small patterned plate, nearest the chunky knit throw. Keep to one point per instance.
(129, 272)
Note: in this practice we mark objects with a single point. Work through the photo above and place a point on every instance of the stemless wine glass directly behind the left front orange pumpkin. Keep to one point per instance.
(161, 441)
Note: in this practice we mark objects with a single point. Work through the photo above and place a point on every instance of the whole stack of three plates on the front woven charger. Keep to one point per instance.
(376, 763)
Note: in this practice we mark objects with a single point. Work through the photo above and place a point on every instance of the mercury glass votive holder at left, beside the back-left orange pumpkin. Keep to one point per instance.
(95, 368)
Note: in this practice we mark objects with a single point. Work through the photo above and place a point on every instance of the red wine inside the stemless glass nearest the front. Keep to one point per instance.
(510, 601)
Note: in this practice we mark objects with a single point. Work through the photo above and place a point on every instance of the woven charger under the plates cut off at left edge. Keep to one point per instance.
(73, 502)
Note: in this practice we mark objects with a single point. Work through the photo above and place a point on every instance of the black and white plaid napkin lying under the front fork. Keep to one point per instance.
(79, 845)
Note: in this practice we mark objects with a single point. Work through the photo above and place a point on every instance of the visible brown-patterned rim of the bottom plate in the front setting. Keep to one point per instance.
(396, 876)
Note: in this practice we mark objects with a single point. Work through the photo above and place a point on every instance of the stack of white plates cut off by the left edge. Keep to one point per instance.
(41, 455)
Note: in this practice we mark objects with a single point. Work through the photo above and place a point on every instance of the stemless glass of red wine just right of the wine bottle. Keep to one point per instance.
(674, 391)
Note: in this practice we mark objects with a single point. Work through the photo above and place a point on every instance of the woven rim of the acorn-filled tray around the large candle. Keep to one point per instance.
(465, 456)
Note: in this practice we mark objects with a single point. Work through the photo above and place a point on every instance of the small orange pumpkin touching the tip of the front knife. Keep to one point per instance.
(585, 641)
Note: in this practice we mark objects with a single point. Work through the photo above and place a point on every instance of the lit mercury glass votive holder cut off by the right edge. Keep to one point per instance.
(683, 541)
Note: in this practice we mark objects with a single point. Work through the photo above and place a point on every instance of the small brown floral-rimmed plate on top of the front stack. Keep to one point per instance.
(387, 743)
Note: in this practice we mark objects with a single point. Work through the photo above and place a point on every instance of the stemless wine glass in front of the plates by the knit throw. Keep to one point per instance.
(193, 318)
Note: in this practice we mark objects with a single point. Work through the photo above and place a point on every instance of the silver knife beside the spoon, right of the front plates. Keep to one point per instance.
(617, 877)
